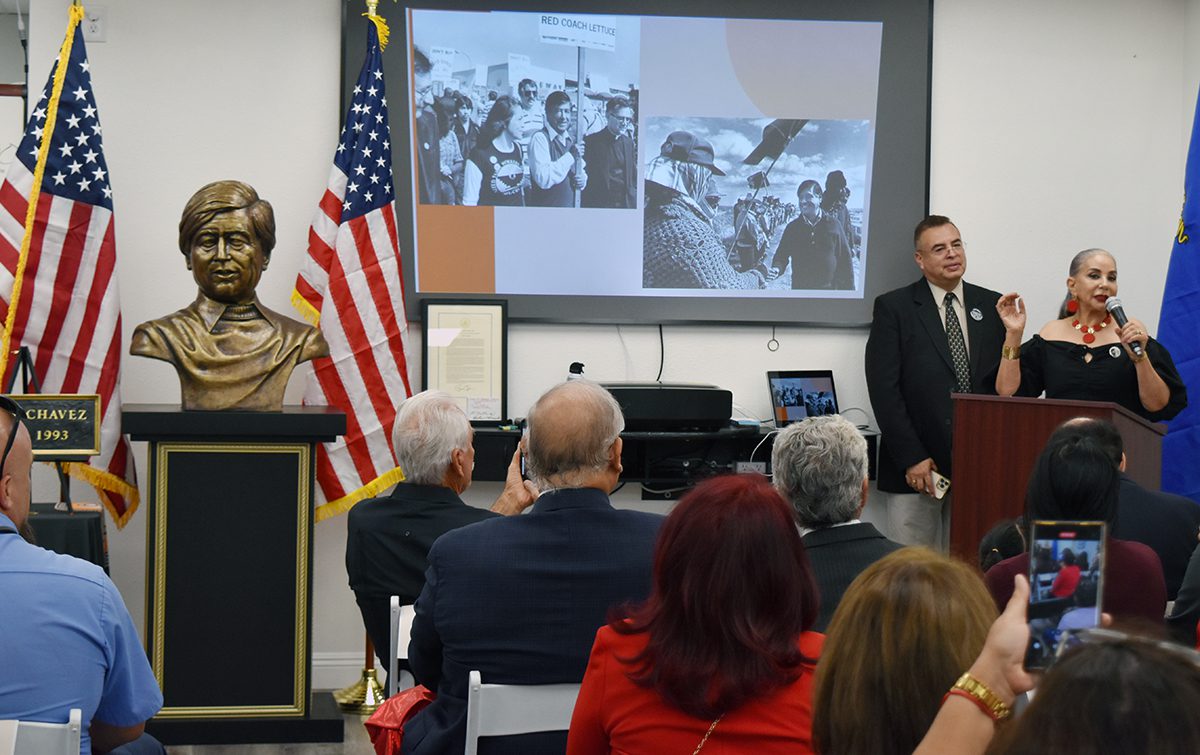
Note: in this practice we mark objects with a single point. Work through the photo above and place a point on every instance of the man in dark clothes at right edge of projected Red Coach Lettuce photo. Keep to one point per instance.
(613, 160)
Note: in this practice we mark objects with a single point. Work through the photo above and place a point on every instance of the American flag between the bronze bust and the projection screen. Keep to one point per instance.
(352, 286)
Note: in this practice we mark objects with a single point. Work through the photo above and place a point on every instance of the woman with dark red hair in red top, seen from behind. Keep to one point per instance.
(719, 656)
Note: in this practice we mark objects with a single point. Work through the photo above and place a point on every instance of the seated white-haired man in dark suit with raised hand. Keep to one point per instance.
(388, 540)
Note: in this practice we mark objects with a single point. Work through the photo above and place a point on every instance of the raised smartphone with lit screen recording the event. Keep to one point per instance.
(1066, 586)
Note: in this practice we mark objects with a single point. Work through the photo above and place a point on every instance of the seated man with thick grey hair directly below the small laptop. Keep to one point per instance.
(820, 466)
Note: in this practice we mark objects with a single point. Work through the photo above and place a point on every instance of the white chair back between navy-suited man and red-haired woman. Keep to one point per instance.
(503, 710)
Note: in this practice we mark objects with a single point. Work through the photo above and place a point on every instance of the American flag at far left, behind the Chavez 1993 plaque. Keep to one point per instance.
(58, 273)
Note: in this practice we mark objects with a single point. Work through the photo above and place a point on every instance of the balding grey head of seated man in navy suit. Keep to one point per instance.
(572, 433)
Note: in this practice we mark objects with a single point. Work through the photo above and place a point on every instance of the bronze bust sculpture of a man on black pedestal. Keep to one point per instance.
(230, 351)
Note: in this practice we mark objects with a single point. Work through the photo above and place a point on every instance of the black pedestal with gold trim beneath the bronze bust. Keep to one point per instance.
(229, 570)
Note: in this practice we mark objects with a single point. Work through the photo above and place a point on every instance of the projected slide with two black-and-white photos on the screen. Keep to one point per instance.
(563, 154)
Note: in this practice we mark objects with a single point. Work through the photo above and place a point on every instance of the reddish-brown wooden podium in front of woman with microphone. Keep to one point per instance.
(998, 440)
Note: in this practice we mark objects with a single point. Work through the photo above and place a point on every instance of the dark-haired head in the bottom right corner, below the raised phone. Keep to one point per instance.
(1129, 697)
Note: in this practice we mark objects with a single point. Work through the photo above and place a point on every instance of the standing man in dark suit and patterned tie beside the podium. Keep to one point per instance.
(919, 355)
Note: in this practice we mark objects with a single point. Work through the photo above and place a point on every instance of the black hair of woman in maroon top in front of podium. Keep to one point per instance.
(1073, 480)
